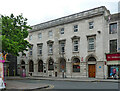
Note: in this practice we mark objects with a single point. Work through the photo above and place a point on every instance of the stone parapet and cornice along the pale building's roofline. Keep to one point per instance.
(71, 18)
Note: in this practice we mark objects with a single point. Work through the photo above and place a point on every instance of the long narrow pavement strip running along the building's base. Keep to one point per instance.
(65, 79)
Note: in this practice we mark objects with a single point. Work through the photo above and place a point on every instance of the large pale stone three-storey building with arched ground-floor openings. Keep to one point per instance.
(71, 46)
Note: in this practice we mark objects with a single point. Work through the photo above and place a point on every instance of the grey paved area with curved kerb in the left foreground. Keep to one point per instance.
(16, 85)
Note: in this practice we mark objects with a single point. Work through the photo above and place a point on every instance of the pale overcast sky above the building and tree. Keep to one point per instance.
(39, 11)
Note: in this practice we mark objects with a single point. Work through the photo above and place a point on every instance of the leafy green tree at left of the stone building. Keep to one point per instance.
(14, 32)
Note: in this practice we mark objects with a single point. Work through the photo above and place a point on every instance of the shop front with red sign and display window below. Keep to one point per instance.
(113, 64)
